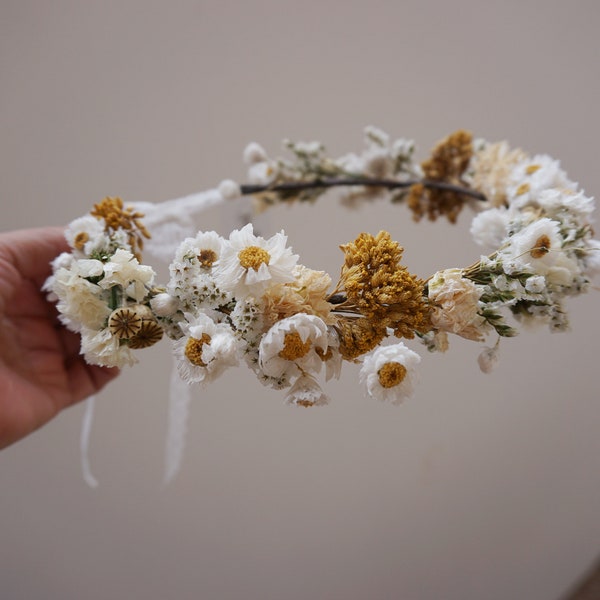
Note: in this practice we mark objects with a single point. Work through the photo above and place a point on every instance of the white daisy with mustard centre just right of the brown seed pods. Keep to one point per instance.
(206, 349)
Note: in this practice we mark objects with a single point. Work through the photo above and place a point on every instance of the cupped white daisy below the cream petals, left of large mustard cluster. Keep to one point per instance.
(293, 346)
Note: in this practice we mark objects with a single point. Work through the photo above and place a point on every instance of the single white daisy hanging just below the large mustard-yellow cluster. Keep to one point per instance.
(388, 373)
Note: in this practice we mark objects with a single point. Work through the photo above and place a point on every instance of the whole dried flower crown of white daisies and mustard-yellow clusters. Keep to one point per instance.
(247, 298)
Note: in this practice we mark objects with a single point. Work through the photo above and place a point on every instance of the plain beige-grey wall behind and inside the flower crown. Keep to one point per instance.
(481, 486)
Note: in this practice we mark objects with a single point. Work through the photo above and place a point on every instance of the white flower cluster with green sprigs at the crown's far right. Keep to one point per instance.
(540, 240)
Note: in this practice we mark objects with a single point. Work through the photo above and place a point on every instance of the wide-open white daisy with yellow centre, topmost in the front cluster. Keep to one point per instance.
(250, 264)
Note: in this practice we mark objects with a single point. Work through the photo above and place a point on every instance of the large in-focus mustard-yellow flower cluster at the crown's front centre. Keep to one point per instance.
(374, 285)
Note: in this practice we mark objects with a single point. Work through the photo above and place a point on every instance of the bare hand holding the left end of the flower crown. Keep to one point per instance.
(41, 371)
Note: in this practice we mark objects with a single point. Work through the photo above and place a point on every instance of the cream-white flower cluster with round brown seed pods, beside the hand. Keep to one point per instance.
(100, 287)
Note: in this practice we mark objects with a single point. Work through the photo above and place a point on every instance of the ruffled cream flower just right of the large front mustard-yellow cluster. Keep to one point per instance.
(455, 303)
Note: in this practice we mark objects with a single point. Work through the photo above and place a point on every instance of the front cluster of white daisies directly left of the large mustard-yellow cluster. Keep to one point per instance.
(246, 297)
